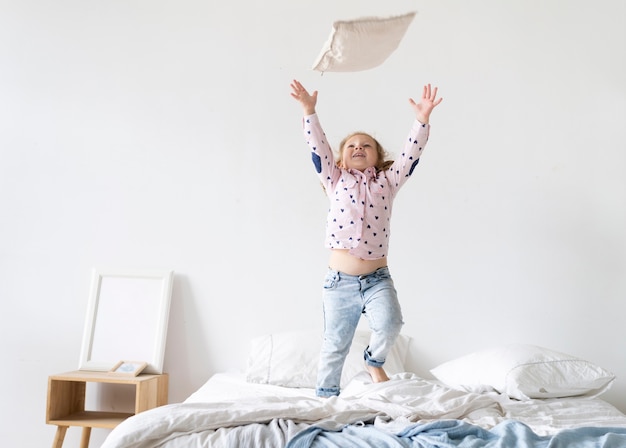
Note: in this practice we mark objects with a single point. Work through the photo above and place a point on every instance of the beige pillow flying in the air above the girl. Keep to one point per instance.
(362, 44)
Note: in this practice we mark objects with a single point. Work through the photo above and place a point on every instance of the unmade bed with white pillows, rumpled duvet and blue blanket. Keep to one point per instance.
(515, 395)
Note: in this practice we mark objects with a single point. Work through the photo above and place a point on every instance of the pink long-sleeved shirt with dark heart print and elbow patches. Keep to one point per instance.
(359, 216)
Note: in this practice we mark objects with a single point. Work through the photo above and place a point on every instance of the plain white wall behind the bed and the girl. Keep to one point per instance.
(161, 134)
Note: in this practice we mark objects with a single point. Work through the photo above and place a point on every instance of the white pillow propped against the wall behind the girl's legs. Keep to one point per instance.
(291, 359)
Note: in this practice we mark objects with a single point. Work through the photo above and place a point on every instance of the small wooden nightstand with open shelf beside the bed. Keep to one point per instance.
(66, 401)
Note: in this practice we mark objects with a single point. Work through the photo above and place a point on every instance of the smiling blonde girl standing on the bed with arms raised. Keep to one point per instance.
(361, 186)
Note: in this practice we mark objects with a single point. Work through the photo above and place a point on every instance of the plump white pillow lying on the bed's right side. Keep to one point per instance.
(524, 372)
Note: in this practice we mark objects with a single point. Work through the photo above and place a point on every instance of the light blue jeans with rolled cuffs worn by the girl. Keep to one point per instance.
(345, 298)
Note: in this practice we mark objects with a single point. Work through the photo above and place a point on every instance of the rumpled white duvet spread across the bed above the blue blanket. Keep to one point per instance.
(227, 412)
